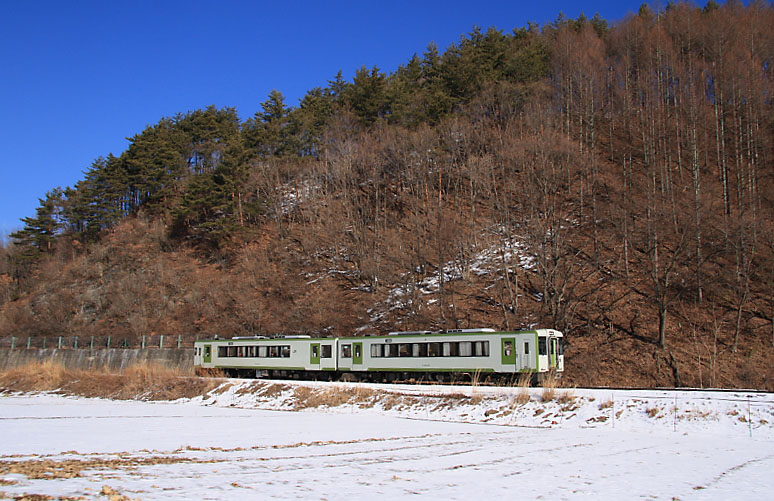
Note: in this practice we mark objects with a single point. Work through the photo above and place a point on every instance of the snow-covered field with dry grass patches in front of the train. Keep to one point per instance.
(249, 440)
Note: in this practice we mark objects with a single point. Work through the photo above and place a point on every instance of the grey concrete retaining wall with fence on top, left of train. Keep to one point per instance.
(115, 359)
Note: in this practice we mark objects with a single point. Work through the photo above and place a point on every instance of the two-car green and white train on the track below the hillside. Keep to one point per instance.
(400, 356)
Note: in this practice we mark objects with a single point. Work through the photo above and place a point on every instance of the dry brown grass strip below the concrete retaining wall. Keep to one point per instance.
(147, 381)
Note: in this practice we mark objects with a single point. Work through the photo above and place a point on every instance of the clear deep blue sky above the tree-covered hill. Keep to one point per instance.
(79, 77)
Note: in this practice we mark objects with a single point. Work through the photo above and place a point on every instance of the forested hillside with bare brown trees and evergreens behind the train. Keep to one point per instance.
(614, 181)
